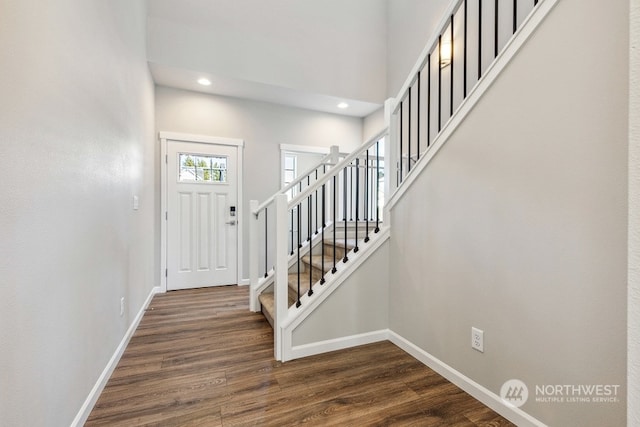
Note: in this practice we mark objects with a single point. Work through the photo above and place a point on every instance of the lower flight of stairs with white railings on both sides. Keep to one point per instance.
(302, 238)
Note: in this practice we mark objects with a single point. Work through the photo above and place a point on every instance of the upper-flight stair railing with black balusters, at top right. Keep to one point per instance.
(468, 41)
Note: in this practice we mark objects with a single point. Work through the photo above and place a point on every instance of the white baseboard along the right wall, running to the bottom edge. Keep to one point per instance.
(484, 395)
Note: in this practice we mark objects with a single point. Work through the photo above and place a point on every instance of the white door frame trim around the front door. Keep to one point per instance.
(164, 138)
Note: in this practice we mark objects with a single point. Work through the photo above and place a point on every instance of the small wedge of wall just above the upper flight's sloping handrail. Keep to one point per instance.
(410, 24)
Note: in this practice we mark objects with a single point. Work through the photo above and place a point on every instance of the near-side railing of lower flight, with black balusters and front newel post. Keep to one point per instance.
(350, 194)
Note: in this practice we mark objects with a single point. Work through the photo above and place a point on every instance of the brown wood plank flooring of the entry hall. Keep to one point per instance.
(200, 358)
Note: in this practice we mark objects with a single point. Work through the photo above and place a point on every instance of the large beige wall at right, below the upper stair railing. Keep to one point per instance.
(519, 224)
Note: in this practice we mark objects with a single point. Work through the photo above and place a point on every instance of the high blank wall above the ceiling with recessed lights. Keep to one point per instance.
(331, 47)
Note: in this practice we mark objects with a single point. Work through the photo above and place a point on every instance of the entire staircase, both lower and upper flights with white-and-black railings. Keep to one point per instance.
(302, 238)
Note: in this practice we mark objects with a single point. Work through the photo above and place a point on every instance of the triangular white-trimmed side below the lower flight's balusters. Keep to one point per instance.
(372, 257)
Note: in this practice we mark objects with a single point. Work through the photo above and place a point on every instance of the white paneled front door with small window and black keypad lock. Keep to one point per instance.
(202, 226)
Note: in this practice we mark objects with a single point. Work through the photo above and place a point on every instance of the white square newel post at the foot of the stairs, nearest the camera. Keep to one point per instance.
(281, 288)
